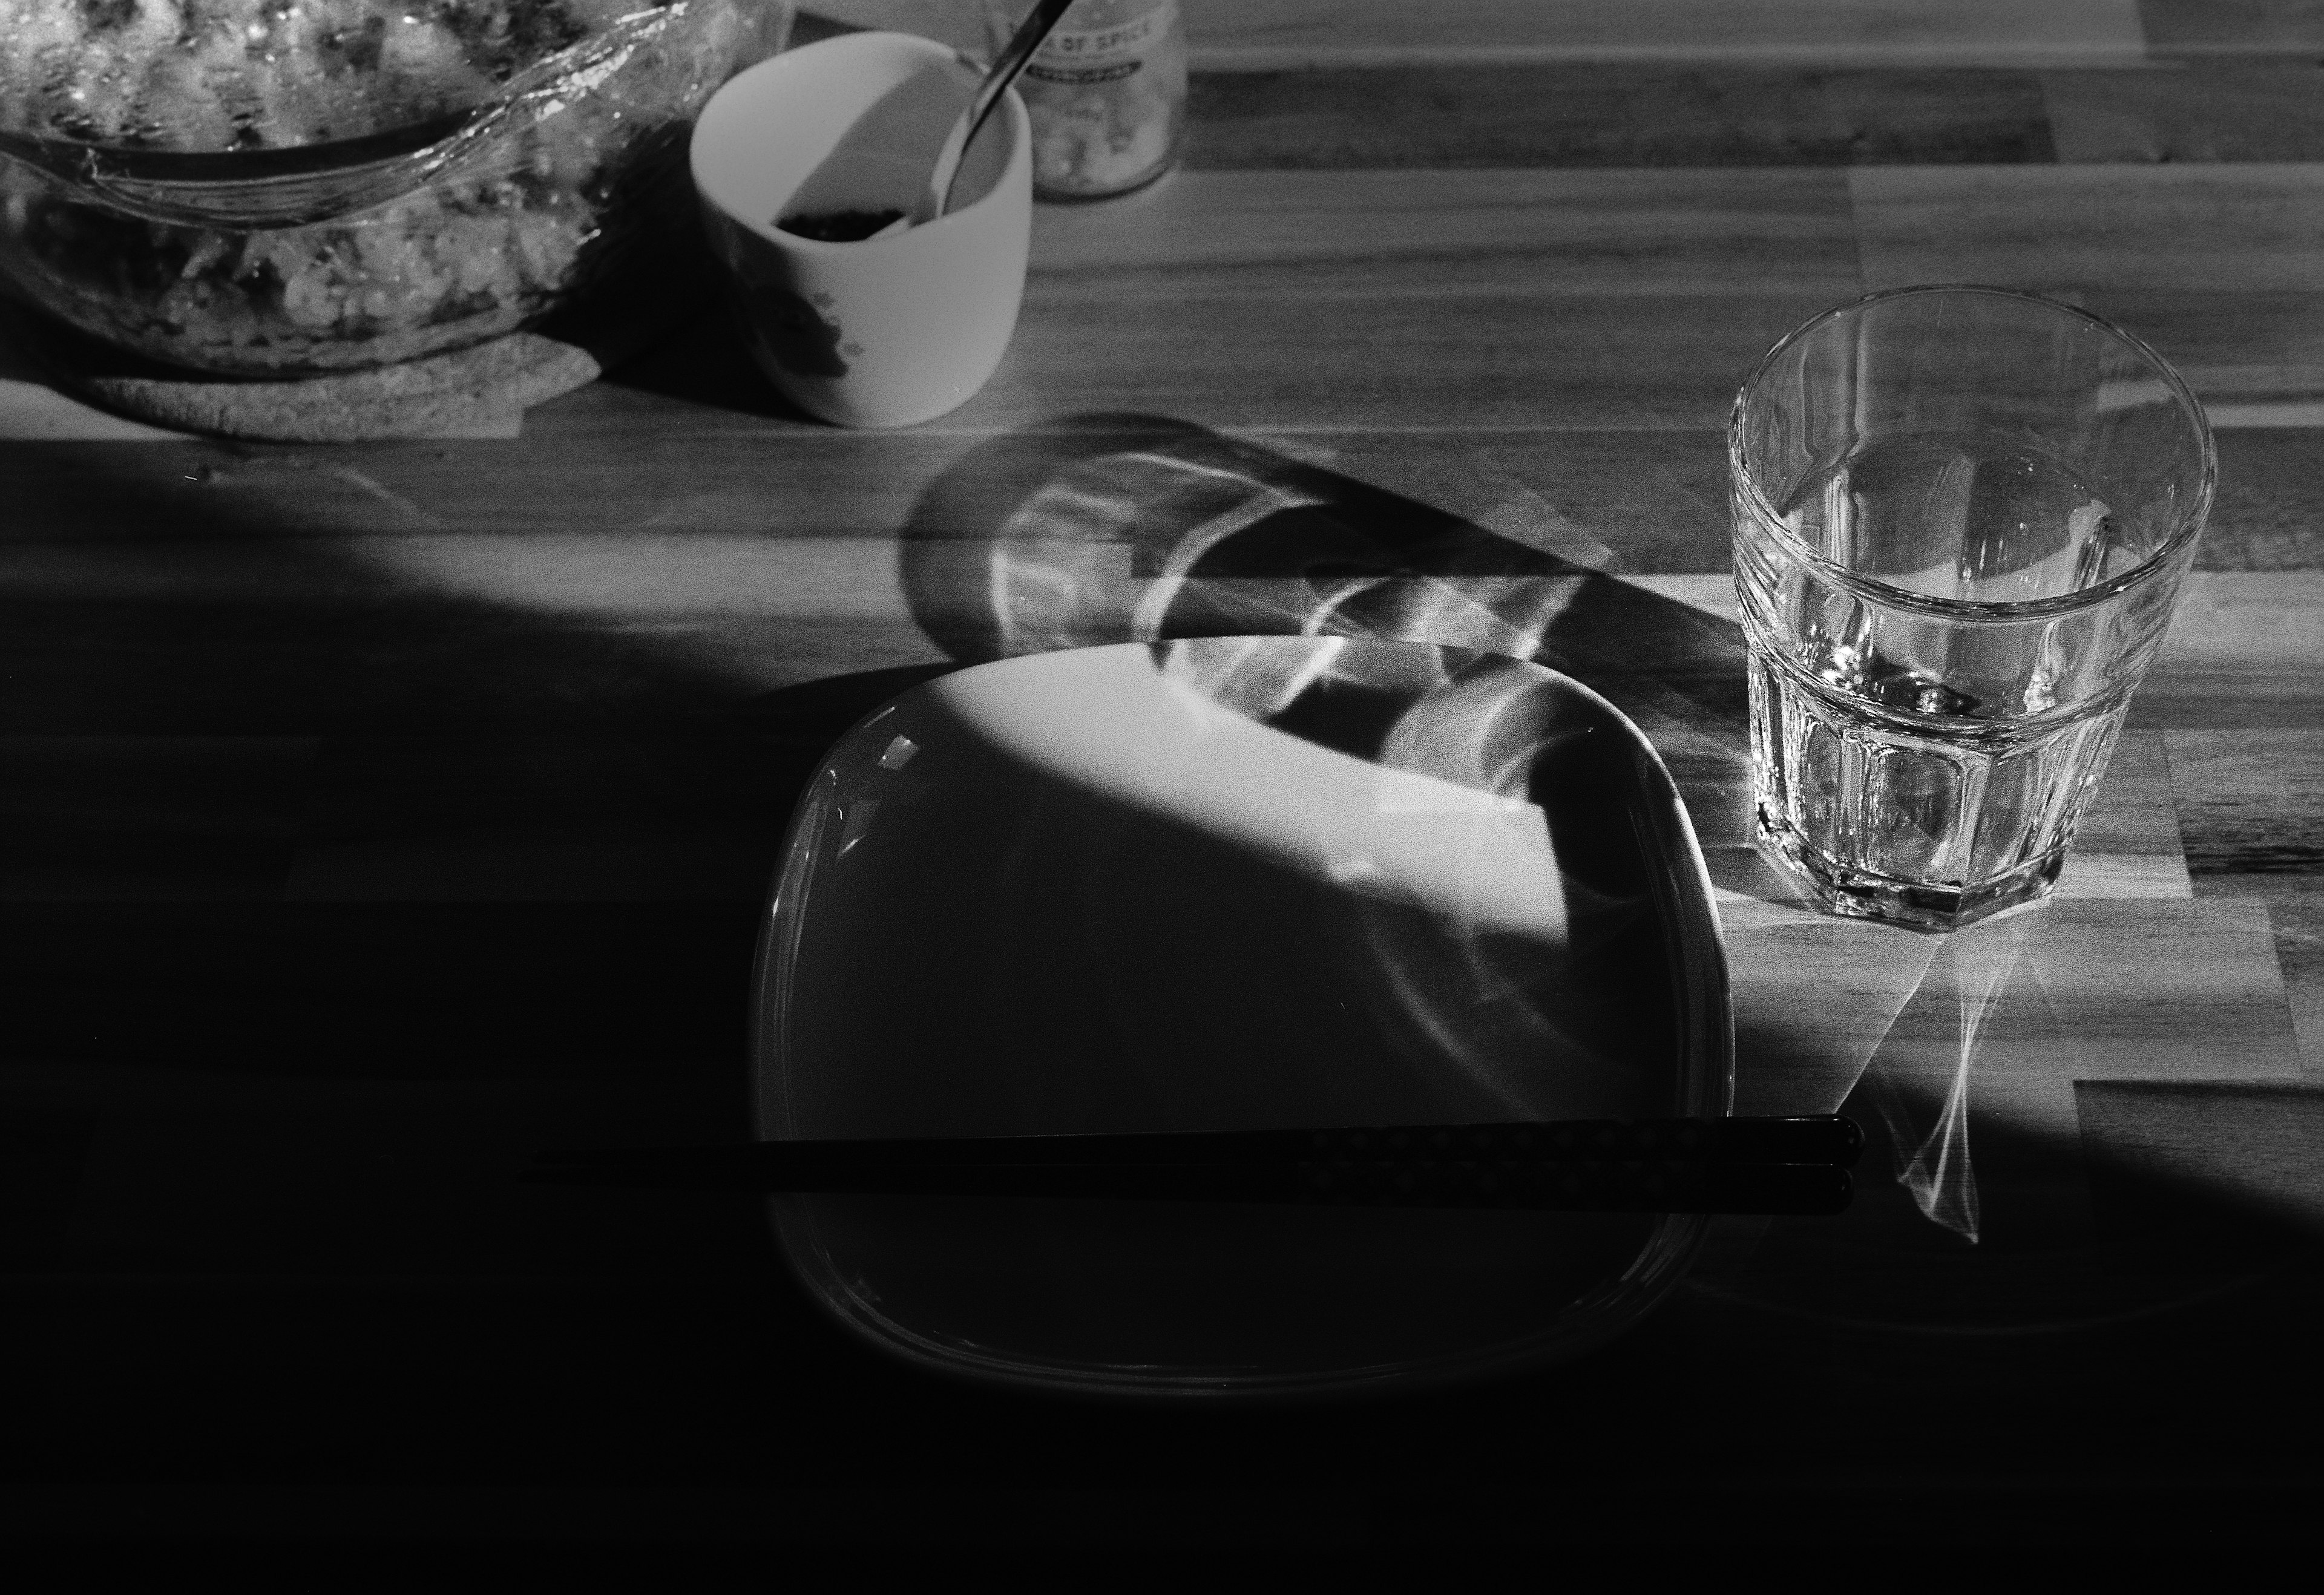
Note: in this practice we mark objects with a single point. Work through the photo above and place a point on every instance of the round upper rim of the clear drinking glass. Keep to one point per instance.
(2190, 524)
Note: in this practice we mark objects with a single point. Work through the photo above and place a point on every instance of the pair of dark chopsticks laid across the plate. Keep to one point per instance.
(1658, 1166)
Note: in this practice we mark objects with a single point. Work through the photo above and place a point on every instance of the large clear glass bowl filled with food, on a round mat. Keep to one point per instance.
(289, 187)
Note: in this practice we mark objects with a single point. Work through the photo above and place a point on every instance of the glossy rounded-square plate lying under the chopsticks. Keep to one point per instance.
(1240, 882)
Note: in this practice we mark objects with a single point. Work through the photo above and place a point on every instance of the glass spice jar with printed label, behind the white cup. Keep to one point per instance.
(1107, 94)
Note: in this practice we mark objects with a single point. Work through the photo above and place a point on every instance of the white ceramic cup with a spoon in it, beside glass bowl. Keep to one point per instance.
(884, 331)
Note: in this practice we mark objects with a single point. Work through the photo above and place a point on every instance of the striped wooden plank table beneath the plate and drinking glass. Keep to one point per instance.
(378, 815)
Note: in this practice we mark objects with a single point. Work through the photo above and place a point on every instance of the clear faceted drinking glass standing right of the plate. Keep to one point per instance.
(1960, 520)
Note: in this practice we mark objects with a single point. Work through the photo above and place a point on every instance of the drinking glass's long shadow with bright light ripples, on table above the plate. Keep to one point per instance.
(1138, 529)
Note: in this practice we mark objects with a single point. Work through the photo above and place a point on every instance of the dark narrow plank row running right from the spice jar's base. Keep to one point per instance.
(1726, 115)
